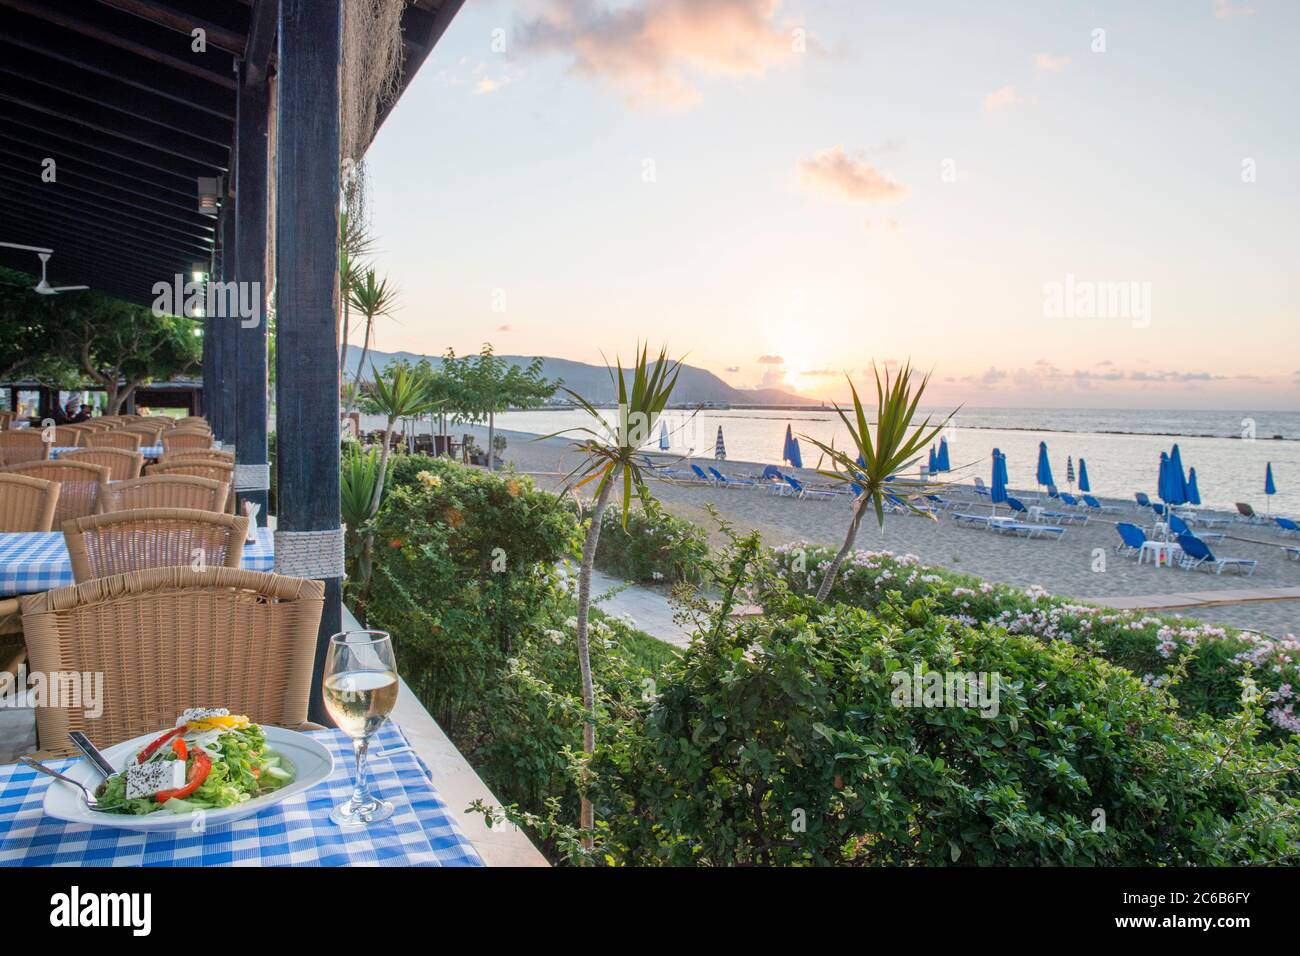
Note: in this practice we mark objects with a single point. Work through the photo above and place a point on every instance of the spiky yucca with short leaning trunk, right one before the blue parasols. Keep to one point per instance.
(870, 465)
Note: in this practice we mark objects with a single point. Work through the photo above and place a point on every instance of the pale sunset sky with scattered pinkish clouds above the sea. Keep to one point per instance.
(1089, 205)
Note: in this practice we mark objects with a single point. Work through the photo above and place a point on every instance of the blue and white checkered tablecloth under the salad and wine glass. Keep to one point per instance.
(297, 833)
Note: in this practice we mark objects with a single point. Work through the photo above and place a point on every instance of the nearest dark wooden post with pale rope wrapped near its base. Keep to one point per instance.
(309, 537)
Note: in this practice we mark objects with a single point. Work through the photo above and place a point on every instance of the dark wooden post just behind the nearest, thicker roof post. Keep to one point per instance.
(253, 478)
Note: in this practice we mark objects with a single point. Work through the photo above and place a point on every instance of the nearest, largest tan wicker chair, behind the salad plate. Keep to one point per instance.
(171, 639)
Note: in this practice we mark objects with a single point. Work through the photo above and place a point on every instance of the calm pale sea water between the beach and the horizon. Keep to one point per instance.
(1123, 448)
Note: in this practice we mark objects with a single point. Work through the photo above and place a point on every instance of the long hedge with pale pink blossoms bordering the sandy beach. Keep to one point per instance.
(1146, 644)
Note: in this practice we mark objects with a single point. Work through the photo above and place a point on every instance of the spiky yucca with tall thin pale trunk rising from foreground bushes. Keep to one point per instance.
(610, 460)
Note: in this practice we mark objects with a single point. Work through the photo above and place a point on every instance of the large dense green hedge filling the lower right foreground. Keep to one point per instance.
(783, 742)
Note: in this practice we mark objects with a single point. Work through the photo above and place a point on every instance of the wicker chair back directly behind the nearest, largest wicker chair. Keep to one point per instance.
(123, 542)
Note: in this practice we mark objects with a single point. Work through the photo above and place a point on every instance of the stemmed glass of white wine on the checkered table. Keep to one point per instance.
(361, 689)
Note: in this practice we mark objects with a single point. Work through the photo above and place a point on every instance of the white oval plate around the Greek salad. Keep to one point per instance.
(313, 763)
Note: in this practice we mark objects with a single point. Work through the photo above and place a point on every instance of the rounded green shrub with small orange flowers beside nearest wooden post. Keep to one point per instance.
(463, 564)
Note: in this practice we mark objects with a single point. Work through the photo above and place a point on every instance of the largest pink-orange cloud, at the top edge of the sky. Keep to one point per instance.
(656, 51)
